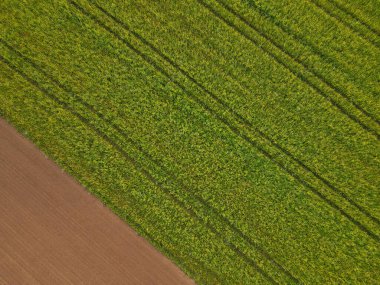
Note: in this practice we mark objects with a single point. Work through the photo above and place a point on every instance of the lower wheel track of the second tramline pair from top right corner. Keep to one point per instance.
(301, 77)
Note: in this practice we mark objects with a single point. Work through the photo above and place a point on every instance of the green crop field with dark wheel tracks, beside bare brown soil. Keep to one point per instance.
(239, 137)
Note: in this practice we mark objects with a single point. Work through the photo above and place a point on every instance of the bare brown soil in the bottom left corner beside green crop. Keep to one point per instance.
(54, 232)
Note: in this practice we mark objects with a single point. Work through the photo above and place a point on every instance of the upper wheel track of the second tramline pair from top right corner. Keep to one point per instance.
(296, 60)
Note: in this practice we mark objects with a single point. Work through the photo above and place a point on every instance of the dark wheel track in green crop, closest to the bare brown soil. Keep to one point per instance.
(147, 174)
